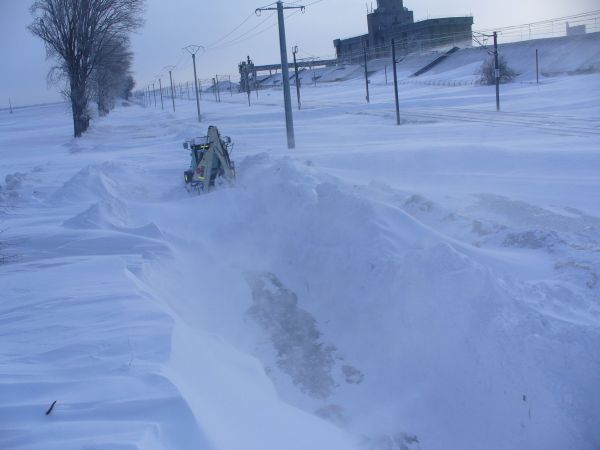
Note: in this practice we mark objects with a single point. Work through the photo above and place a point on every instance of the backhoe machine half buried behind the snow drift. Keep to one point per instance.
(210, 161)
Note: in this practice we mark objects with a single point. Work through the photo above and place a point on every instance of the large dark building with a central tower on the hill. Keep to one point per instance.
(392, 20)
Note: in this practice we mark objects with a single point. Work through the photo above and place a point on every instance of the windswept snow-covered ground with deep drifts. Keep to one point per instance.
(431, 286)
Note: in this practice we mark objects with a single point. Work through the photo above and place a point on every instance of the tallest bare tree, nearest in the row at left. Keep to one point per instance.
(75, 32)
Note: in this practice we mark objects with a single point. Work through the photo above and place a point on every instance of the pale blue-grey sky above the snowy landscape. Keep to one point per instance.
(172, 24)
